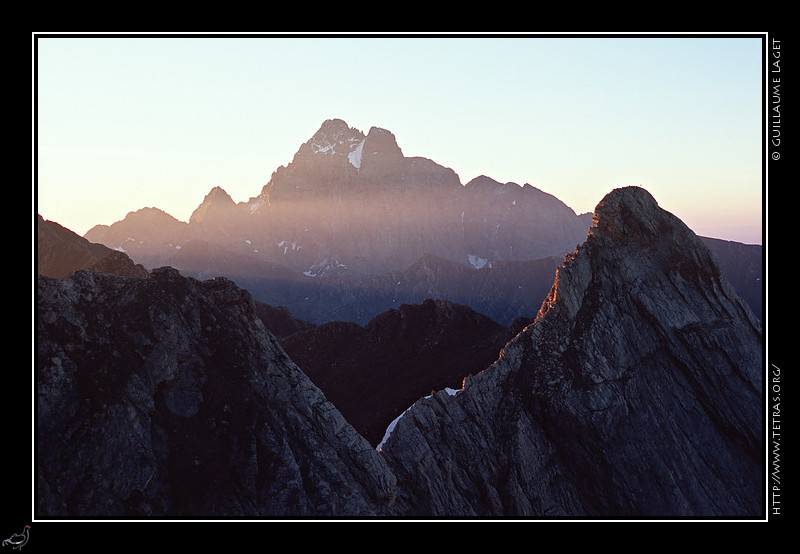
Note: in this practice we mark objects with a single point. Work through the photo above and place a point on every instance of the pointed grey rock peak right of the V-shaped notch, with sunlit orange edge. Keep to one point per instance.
(637, 391)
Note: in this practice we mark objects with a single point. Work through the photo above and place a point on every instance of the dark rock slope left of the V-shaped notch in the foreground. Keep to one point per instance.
(166, 397)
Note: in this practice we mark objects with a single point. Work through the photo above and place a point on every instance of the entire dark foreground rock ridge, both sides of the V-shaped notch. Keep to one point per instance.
(636, 392)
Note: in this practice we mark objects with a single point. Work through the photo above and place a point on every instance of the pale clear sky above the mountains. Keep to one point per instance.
(126, 123)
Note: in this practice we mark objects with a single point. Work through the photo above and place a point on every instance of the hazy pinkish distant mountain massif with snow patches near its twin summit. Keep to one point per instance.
(332, 233)
